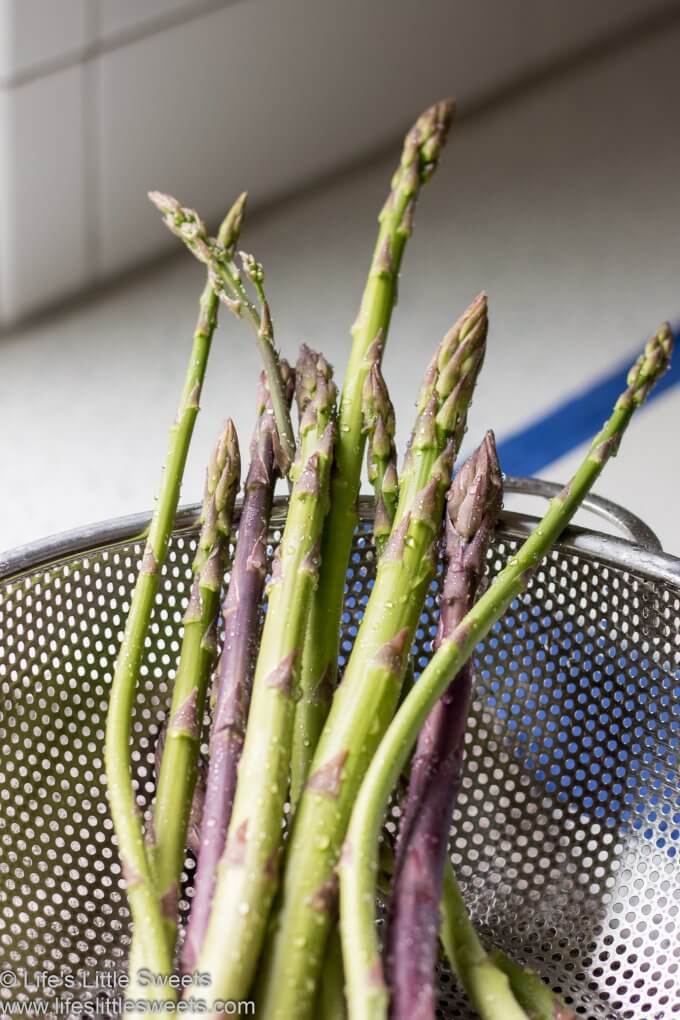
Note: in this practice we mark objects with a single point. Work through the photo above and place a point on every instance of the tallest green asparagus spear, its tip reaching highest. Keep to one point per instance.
(421, 156)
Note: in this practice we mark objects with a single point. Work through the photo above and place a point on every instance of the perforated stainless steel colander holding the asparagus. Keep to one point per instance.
(567, 832)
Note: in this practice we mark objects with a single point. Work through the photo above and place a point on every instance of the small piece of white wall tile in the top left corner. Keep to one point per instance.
(36, 32)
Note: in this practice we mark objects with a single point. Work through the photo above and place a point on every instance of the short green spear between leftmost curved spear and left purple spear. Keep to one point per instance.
(199, 649)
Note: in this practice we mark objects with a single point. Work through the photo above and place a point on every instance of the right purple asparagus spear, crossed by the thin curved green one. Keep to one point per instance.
(411, 948)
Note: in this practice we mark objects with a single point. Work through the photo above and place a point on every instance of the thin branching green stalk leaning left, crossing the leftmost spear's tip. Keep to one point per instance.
(228, 284)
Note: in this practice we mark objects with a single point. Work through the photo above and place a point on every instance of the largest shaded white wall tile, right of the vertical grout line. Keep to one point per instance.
(266, 96)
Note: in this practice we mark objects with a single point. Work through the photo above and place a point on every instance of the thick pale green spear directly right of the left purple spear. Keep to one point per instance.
(247, 875)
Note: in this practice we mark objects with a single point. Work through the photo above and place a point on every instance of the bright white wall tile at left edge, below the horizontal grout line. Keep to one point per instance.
(43, 227)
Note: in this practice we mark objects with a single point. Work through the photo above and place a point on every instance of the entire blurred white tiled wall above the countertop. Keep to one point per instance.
(257, 94)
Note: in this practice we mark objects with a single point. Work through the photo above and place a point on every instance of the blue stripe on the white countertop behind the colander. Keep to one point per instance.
(544, 441)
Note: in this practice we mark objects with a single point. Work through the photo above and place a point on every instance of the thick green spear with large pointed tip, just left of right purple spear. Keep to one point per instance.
(365, 701)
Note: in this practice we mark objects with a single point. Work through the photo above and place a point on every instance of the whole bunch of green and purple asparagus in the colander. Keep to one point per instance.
(300, 770)
